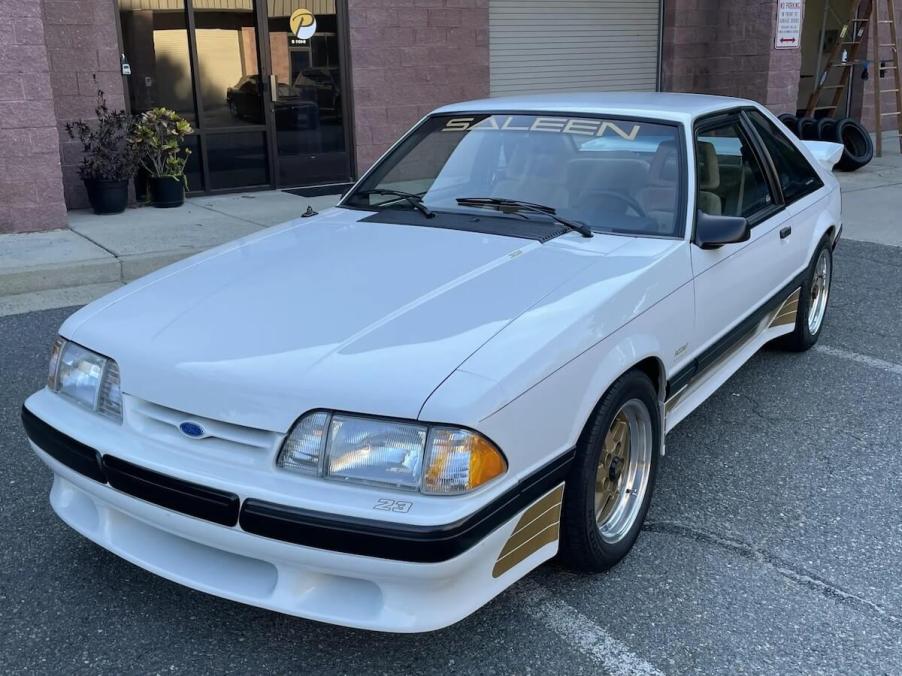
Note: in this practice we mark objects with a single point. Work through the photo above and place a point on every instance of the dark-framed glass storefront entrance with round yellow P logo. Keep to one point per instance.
(260, 81)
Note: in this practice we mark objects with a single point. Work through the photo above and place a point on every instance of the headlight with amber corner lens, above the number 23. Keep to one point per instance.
(406, 455)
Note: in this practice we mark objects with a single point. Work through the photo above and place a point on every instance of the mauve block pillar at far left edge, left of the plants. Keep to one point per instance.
(31, 190)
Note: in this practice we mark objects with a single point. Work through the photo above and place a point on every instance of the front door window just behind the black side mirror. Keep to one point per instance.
(730, 179)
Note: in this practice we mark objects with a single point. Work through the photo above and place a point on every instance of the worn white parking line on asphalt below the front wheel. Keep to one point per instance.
(580, 632)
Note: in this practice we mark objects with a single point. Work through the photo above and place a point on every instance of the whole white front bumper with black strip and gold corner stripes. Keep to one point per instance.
(313, 565)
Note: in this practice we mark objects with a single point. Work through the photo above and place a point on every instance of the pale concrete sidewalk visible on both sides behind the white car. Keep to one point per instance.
(96, 254)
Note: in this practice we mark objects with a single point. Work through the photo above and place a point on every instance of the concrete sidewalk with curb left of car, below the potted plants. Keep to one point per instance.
(96, 254)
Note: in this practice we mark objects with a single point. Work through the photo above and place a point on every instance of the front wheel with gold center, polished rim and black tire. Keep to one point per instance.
(613, 475)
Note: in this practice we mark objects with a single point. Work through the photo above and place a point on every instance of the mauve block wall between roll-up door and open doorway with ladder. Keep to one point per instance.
(714, 47)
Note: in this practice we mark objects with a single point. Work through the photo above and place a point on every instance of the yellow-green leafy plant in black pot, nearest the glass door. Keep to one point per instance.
(157, 137)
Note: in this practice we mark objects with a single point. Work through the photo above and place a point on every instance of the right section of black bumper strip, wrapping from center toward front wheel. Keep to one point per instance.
(419, 544)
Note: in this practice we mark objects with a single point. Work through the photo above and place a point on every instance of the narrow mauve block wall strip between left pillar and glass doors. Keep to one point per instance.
(81, 42)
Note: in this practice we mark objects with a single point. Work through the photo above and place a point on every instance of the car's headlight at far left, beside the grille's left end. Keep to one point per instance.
(85, 377)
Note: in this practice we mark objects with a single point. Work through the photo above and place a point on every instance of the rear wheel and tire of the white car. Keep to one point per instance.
(813, 300)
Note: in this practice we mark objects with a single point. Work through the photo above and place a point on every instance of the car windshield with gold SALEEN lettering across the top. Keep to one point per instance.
(612, 175)
